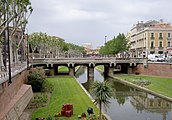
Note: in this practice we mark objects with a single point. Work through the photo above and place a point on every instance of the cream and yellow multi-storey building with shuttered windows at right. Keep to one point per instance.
(151, 37)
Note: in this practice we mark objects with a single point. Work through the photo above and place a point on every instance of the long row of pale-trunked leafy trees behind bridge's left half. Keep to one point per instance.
(42, 43)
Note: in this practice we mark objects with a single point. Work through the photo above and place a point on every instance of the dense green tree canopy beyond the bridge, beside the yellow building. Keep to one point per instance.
(116, 45)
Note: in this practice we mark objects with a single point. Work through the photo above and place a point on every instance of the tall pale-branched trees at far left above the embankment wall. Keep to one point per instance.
(14, 15)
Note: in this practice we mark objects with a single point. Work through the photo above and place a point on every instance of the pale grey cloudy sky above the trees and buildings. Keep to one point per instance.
(89, 21)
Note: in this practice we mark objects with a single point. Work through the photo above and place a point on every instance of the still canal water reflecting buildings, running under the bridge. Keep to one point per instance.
(129, 103)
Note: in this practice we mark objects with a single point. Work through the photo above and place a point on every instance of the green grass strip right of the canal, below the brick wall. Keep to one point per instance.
(158, 84)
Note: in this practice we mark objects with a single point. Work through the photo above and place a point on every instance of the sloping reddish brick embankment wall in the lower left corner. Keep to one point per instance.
(14, 97)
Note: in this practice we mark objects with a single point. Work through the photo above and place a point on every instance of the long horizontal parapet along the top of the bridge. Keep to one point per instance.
(88, 60)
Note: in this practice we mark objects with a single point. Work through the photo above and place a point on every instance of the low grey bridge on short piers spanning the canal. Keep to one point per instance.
(125, 64)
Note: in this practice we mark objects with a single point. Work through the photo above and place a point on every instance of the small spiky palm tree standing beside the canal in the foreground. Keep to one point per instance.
(101, 92)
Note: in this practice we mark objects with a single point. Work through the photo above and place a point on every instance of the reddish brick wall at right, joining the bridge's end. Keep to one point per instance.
(155, 69)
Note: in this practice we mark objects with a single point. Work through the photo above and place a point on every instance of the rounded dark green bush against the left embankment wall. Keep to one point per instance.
(36, 78)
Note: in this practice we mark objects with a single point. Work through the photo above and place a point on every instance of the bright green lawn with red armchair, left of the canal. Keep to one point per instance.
(66, 90)
